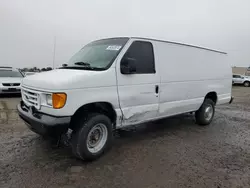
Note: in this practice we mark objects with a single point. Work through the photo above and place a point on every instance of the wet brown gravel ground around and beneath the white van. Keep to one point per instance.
(173, 152)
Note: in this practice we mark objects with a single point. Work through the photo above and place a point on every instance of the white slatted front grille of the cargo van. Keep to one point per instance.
(31, 97)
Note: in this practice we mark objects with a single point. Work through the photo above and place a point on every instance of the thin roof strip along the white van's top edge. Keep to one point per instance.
(177, 43)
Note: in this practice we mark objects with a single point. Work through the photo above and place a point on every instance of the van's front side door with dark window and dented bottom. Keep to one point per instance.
(139, 90)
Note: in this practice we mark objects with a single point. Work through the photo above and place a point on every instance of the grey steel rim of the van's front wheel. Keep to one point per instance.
(97, 138)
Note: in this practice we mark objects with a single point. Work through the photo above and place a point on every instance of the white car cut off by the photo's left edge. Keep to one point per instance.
(10, 80)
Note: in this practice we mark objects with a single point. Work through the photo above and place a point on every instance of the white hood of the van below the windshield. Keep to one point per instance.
(64, 79)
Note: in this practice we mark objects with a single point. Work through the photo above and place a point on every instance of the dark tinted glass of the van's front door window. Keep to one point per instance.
(143, 55)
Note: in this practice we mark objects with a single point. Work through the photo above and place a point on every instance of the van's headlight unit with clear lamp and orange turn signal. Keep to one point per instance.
(56, 100)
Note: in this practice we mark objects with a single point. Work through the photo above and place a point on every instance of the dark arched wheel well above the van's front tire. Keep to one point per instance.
(97, 107)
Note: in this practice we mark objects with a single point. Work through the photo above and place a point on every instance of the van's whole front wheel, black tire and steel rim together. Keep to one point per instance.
(93, 136)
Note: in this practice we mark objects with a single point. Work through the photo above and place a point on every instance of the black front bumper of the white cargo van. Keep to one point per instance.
(43, 124)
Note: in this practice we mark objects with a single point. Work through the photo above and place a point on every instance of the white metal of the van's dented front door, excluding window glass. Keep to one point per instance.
(137, 95)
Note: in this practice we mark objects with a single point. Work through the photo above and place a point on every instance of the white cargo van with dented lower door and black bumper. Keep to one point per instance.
(113, 83)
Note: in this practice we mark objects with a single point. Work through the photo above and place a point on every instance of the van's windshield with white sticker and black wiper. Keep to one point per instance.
(98, 55)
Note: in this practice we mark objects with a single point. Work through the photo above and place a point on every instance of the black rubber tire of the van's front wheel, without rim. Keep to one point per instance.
(80, 136)
